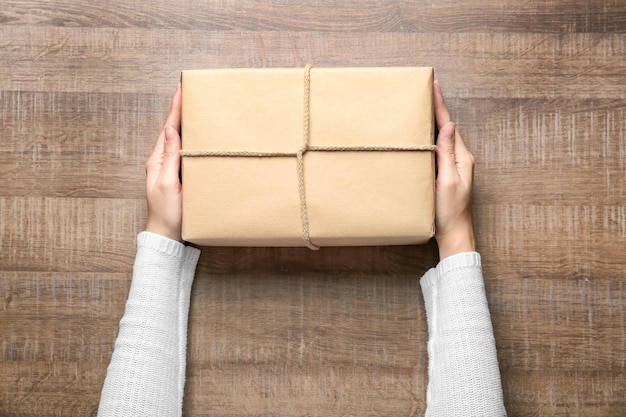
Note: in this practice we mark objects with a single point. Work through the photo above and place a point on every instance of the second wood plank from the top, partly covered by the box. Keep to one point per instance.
(486, 65)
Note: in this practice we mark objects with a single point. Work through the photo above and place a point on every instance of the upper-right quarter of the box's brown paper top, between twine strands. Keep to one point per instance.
(371, 106)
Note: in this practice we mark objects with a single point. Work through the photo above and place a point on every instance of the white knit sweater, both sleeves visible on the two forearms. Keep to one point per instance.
(146, 376)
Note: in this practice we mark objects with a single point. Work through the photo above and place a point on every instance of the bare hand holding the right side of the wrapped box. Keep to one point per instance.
(453, 195)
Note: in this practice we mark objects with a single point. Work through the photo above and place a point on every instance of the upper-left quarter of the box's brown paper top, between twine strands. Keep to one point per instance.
(259, 111)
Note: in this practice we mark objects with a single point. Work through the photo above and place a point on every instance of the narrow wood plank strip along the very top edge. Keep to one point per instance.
(330, 15)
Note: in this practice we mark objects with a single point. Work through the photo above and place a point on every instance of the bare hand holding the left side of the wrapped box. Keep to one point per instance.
(163, 187)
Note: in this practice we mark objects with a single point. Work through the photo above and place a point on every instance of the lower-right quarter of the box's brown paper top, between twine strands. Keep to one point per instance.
(369, 194)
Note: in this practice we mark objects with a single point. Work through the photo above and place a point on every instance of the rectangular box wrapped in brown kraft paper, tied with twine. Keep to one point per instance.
(308, 157)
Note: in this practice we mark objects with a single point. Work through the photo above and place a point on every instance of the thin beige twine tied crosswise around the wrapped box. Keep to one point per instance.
(300, 155)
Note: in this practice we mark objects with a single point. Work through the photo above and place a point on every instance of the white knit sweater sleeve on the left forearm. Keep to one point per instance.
(147, 370)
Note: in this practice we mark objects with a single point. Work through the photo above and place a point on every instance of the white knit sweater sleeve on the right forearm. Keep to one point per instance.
(464, 378)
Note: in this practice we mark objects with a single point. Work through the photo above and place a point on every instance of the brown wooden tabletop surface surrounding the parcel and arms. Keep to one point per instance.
(538, 88)
